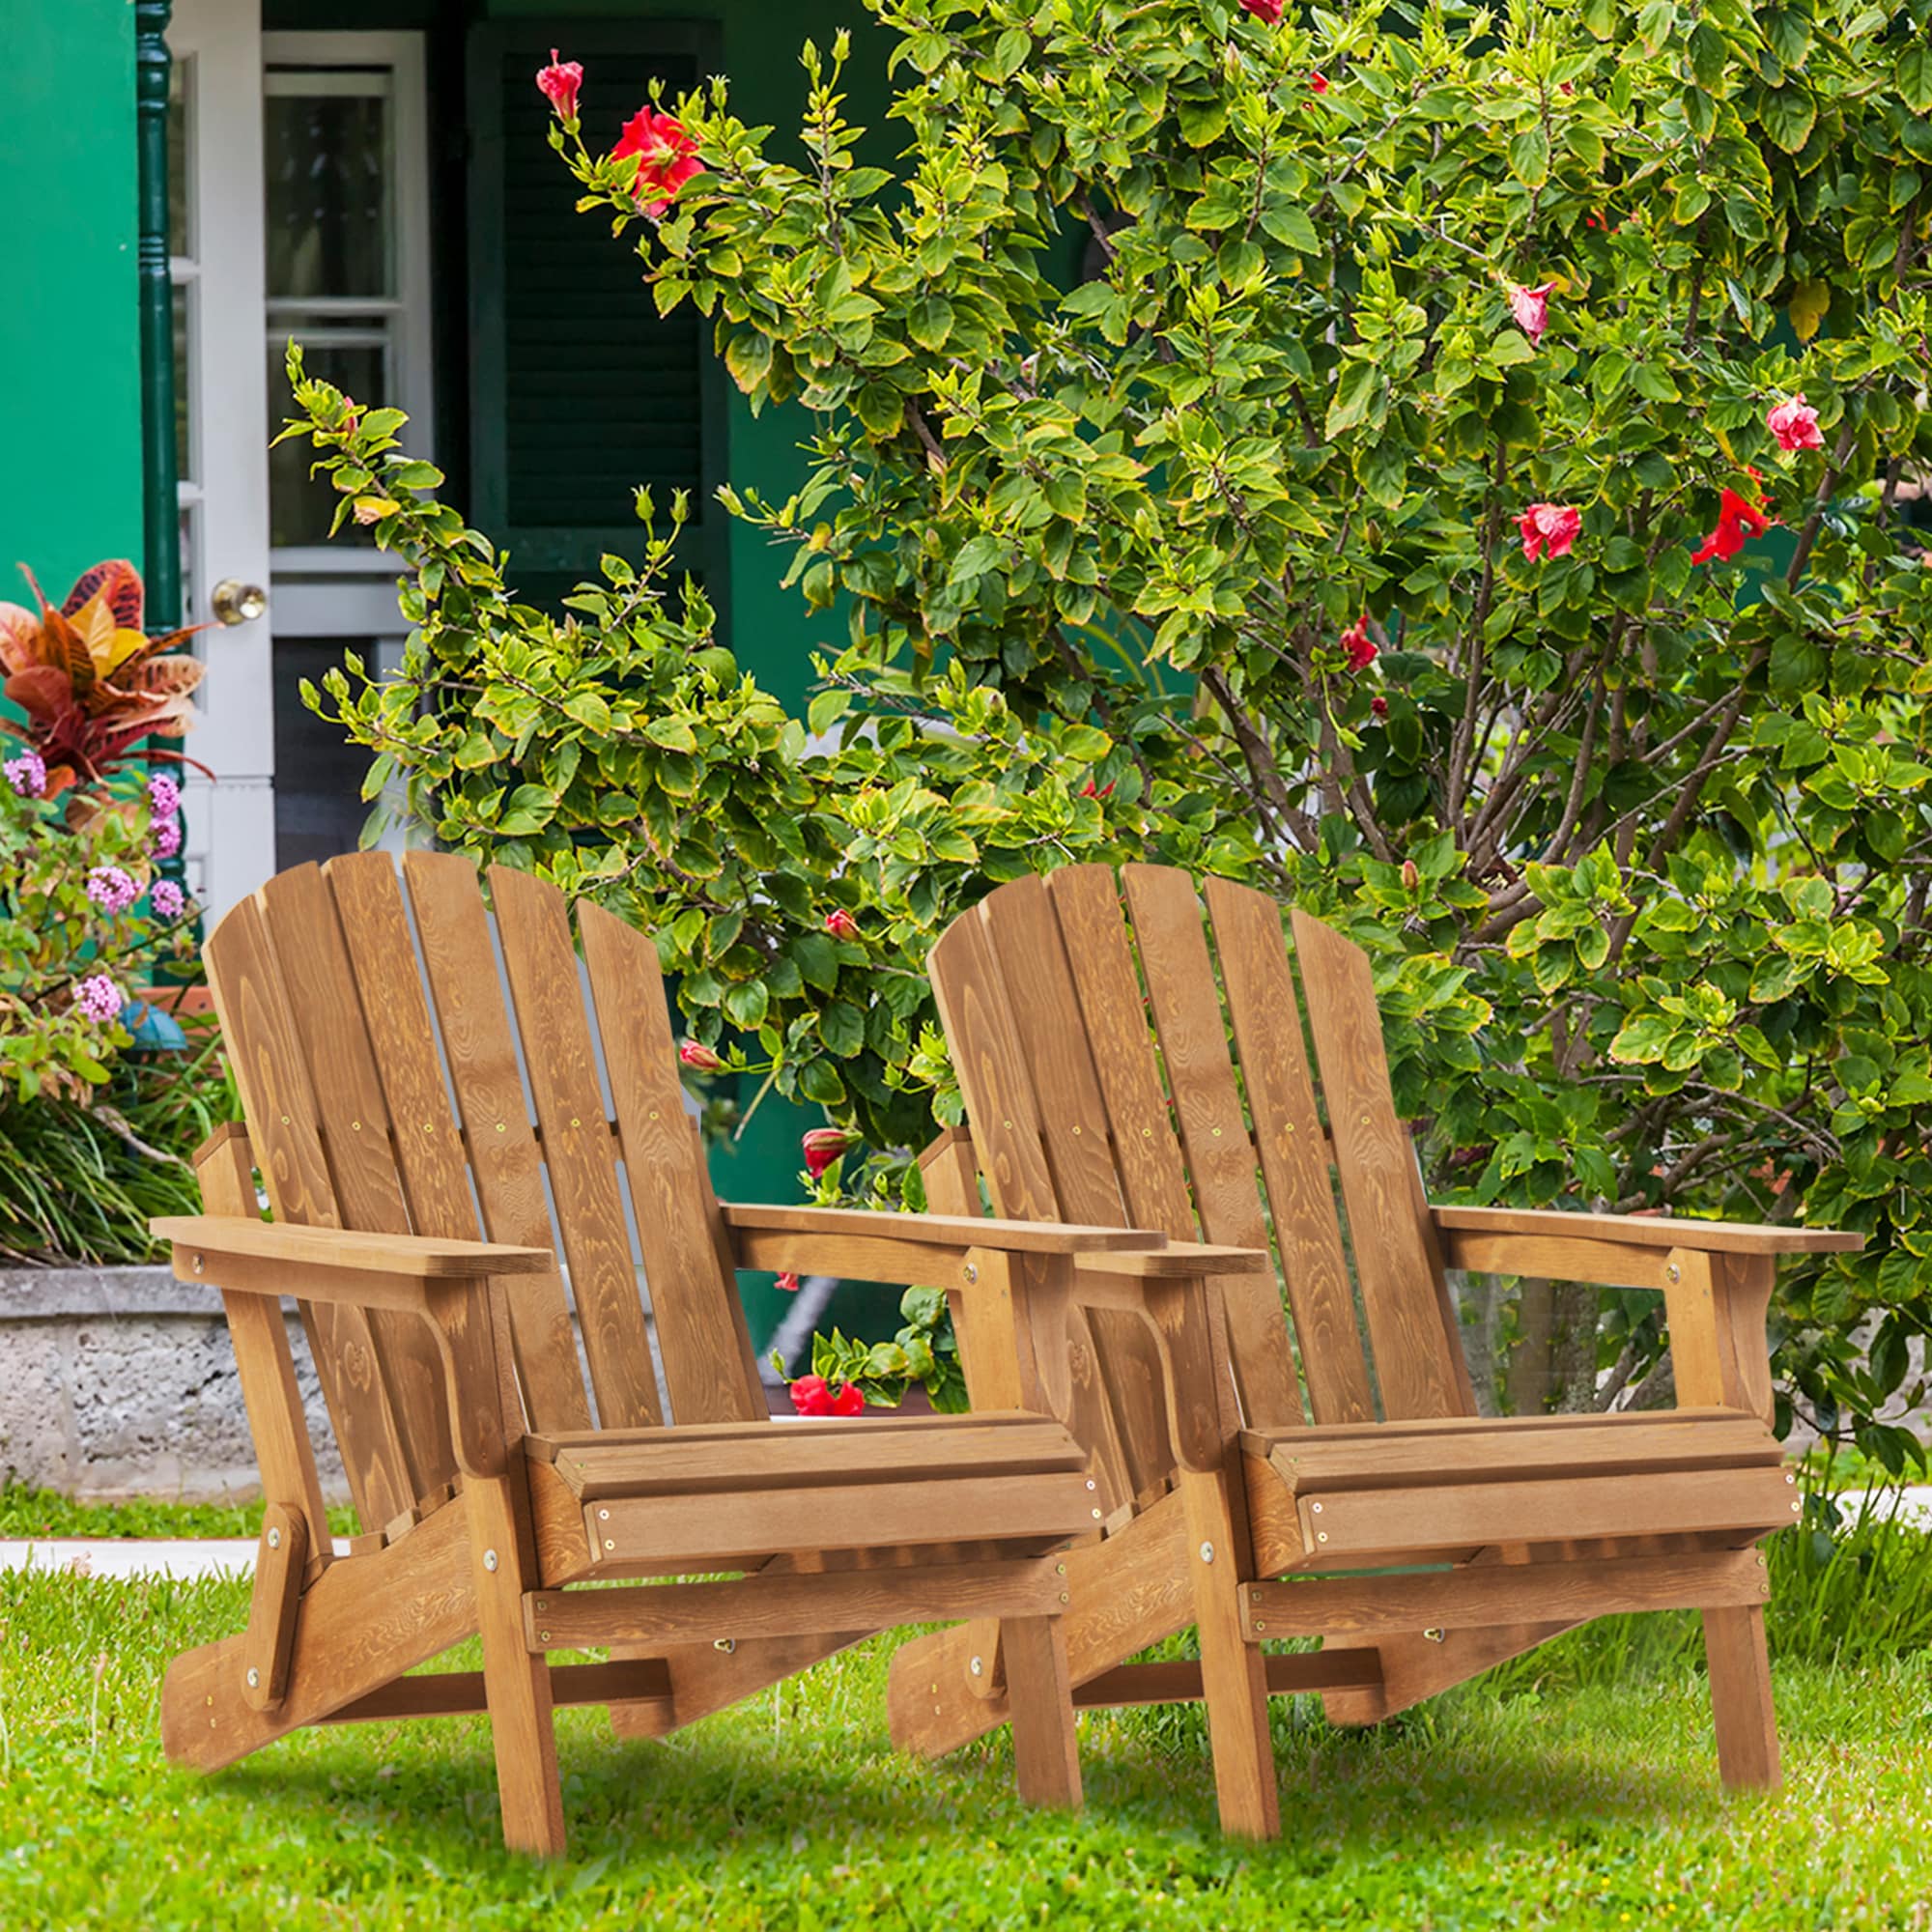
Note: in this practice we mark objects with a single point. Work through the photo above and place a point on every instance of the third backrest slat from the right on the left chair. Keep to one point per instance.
(505, 1158)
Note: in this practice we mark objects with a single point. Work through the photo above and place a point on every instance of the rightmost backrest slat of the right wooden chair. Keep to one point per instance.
(1377, 1166)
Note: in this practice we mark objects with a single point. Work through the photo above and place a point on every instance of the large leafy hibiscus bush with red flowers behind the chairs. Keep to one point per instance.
(1454, 478)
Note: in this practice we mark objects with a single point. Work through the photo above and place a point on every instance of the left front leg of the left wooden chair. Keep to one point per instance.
(517, 1682)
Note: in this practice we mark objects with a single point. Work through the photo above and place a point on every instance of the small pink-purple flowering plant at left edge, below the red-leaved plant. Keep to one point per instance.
(84, 923)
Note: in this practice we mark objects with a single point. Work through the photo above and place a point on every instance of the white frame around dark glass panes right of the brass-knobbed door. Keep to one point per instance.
(414, 391)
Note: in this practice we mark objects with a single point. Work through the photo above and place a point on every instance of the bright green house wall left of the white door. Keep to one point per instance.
(71, 343)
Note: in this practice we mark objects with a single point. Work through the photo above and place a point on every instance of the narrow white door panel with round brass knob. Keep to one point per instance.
(223, 414)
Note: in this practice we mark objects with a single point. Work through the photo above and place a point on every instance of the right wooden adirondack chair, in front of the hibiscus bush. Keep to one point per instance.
(1322, 1442)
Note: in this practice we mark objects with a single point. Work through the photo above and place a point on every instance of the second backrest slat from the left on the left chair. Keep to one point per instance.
(356, 1129)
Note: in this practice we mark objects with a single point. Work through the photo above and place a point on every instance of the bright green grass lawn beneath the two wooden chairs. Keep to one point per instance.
(1576, 1790)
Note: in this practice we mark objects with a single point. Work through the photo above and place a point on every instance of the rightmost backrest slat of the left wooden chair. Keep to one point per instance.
(687, 1251)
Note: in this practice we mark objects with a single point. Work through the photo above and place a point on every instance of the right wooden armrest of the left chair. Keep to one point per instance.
(905, 1247)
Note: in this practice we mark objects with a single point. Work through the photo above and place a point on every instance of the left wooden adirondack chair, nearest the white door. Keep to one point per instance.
(387, 1147)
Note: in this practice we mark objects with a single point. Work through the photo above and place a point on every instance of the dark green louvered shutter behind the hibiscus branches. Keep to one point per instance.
(579, 389)
